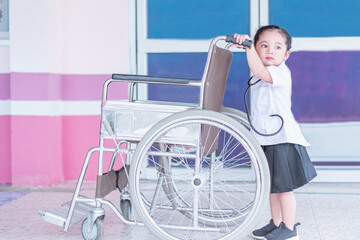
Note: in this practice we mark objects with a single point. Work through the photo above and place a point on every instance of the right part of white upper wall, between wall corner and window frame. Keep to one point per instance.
(97, 34)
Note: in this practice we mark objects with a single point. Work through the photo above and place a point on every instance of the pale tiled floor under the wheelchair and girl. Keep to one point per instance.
(326, 212)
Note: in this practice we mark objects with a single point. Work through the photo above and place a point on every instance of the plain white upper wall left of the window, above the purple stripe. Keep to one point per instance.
(69, 36)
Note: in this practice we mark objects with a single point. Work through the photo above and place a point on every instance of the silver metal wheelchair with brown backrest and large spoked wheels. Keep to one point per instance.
(190, 171)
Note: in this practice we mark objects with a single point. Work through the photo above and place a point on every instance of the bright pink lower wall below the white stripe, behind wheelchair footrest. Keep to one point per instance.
(51, 149)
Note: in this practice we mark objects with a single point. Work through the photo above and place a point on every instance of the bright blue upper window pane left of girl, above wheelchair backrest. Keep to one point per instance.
(200, 19)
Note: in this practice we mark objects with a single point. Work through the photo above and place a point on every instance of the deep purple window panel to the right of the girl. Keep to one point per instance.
(326, 86)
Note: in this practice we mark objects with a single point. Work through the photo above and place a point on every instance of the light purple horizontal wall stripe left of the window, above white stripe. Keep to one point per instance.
(51, 86)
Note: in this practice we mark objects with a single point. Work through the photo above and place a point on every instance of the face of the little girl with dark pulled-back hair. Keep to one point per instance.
(271, 48)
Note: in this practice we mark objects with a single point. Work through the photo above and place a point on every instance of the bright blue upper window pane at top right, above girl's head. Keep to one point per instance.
(321, 18)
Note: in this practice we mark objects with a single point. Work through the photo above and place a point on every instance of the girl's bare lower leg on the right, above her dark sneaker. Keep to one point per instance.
(288, 208)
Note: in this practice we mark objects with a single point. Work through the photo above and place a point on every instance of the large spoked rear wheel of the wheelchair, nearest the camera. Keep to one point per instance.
(217, 191)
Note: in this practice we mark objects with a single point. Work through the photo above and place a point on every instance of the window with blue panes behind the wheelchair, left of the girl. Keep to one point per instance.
(182, 31)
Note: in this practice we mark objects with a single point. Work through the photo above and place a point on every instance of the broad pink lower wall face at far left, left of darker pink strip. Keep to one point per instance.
(36, 157)
